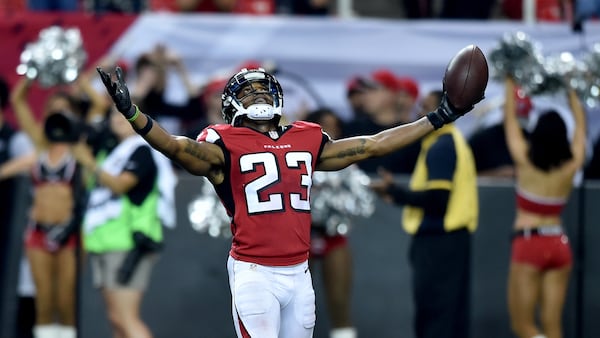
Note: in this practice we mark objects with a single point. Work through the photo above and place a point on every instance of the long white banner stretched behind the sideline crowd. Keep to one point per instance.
(326, 52)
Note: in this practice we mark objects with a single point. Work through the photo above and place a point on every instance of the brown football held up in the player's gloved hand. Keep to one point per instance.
(466, 77)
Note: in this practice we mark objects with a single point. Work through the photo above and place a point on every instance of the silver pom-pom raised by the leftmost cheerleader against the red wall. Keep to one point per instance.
(57, 57)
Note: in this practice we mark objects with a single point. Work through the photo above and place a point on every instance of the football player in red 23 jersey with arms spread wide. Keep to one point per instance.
(262, 173)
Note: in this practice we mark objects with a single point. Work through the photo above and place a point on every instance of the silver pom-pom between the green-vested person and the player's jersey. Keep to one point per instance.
(207, 214)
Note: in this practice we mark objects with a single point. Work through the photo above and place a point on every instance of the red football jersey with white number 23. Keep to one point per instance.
(267, 189)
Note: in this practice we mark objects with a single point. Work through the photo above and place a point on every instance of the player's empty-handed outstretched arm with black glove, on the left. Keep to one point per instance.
(198, 158)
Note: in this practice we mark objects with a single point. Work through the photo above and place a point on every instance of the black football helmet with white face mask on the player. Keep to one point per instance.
(231, 100)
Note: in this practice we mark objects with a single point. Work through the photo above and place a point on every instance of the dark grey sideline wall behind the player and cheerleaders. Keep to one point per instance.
(189, 294)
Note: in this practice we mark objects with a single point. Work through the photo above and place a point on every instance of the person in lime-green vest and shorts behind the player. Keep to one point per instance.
(122, 231)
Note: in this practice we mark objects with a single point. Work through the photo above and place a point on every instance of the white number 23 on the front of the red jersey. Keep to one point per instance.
(274, 202)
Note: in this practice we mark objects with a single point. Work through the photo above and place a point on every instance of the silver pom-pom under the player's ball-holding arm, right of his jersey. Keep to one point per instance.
(338, 195)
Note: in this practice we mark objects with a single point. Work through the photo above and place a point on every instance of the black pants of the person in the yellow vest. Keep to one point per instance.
(441, 272)
